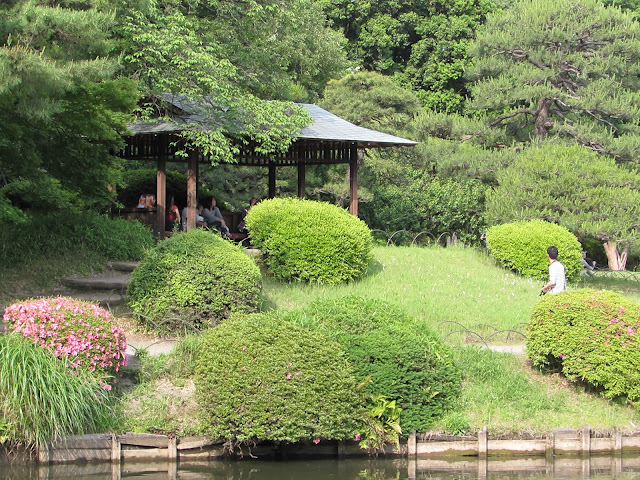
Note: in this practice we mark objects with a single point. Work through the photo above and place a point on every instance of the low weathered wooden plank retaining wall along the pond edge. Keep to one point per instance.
(133, 447)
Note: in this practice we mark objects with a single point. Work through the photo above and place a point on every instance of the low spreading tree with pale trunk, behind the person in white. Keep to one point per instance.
(572, 186)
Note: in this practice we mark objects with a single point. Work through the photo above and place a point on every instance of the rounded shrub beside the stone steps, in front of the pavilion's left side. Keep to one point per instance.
(193, 280)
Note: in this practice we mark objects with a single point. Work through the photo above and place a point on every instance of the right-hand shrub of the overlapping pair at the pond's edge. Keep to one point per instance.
(405, 361)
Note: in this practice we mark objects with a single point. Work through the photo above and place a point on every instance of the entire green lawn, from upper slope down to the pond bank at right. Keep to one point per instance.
(464, 285)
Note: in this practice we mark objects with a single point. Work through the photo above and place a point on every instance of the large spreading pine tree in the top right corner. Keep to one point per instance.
(568, 69)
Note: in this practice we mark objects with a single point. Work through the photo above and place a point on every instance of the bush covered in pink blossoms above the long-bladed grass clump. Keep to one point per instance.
(83, 334)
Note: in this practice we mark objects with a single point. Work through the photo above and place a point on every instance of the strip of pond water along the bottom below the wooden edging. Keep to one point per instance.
(623, 468)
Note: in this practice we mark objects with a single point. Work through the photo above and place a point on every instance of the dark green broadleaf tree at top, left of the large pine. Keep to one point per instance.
(423, 43)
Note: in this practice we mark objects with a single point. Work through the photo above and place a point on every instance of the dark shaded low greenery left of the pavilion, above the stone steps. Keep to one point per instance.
(59, 233)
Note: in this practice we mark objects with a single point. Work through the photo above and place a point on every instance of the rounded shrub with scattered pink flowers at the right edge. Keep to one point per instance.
(590, 336)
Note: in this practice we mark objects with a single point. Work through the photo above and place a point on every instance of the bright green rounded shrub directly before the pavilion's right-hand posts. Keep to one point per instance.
(310, 241)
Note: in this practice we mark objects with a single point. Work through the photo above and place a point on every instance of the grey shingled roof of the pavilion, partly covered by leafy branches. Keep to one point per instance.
(325, 127)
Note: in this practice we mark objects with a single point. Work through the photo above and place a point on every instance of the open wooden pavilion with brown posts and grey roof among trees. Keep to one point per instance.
(328, 140)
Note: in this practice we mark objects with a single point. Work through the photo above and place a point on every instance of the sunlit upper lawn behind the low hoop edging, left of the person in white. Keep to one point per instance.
(434, 285)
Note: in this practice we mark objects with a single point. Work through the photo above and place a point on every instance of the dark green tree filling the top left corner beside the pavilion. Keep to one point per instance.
(62, 108)
